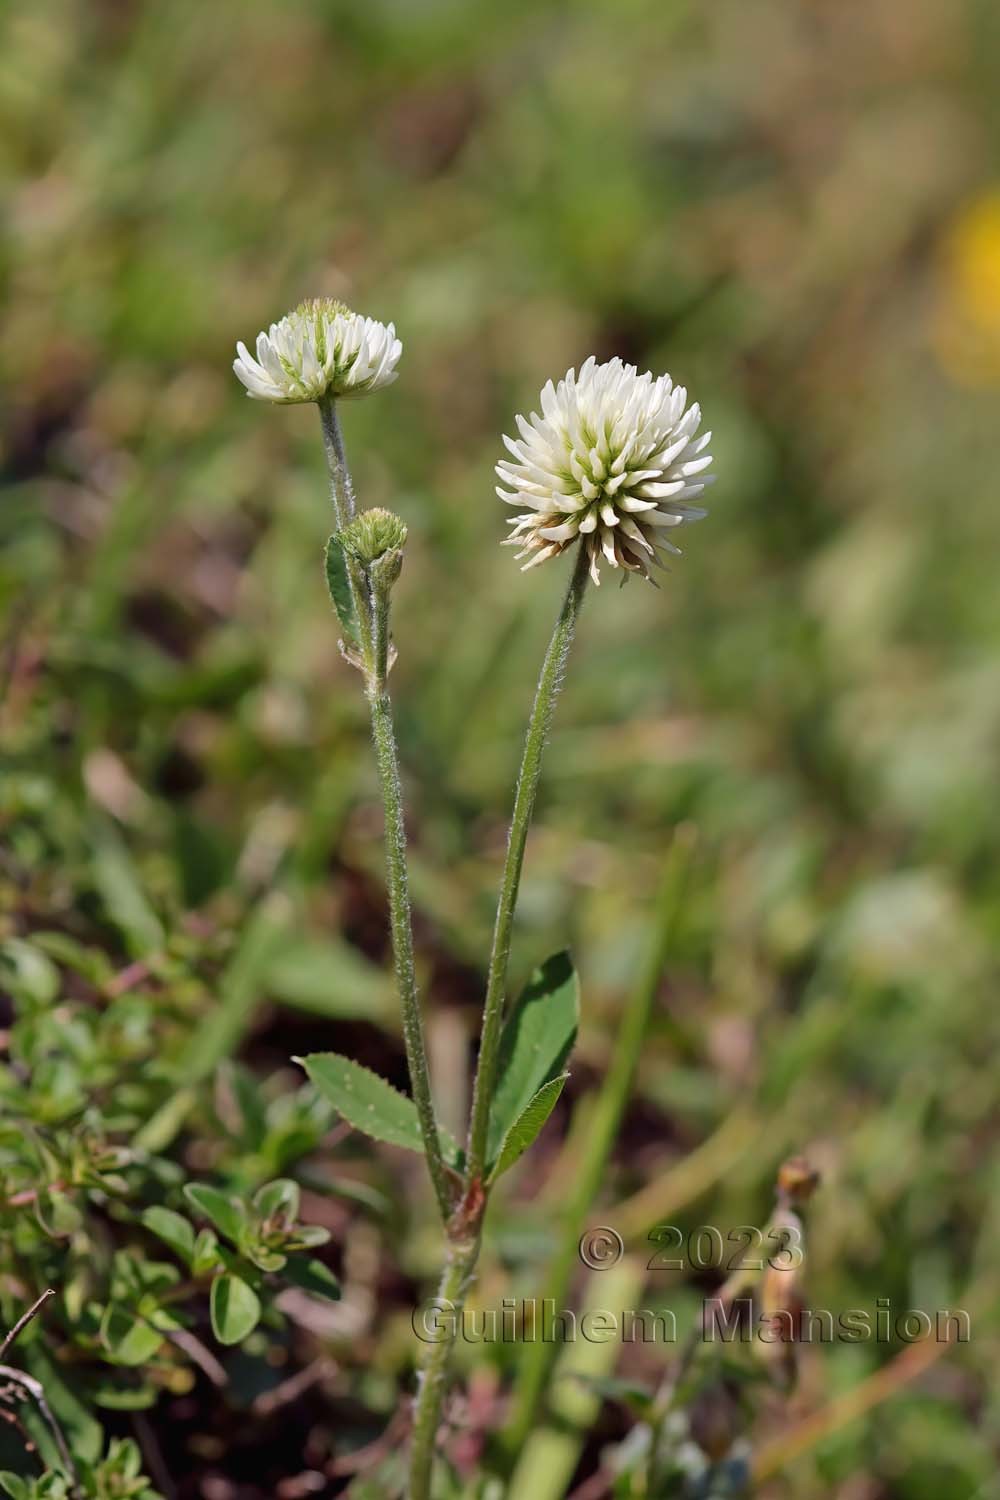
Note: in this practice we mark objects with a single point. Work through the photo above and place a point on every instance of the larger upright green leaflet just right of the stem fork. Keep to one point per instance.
(536, 1045)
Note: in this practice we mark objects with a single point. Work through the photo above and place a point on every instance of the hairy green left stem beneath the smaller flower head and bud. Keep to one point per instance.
(373, 614)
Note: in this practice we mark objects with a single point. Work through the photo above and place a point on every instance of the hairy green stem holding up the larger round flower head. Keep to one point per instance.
(549, 683)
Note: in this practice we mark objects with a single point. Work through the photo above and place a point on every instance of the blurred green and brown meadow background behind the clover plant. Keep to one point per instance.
(795, 209)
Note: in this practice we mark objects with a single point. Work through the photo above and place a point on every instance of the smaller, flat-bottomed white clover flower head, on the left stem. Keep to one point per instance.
(320, 350)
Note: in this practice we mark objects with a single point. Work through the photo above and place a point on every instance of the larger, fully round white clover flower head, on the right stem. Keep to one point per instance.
(614, 460)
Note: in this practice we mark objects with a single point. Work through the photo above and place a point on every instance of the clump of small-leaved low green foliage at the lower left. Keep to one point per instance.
(89, 1211)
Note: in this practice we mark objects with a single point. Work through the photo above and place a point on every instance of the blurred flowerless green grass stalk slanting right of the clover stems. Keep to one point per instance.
(602, 1130)
